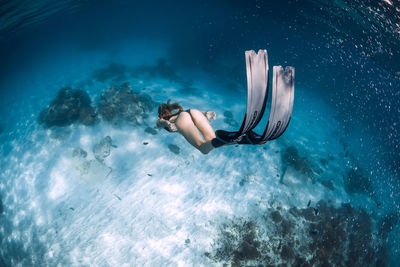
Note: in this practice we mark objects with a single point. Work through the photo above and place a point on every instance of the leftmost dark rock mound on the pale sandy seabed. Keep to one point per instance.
(70, 106)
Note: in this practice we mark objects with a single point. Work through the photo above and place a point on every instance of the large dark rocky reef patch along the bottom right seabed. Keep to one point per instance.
(322, 235)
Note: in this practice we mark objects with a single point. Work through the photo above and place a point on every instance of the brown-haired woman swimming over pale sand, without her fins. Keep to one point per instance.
(188, 122)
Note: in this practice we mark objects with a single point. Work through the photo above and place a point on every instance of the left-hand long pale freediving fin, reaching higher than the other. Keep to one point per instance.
(257, 93)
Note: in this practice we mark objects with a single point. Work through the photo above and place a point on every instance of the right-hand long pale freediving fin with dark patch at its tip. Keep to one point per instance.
(281, 106)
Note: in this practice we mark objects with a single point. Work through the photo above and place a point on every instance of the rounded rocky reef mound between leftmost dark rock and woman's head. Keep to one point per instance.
(120, 105)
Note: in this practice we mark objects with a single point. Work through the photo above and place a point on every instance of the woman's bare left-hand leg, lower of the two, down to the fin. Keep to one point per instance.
(187, 128)
